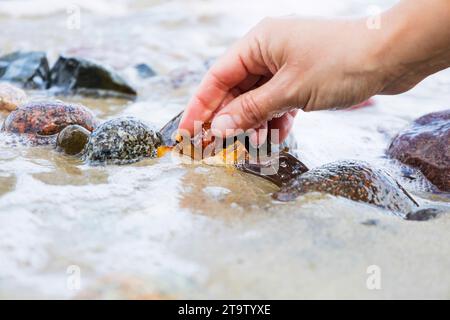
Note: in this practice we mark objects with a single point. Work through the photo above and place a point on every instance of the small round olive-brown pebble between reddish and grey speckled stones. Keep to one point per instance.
(72, 139)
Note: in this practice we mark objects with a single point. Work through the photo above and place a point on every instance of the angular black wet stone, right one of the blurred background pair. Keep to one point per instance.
(75, 75)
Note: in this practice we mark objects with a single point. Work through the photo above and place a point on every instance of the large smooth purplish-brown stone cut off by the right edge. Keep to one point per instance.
(425, 145)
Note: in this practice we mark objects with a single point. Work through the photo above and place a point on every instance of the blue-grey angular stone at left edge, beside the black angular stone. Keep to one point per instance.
(29, 69)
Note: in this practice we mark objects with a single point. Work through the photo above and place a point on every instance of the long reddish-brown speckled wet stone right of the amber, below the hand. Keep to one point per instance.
(357, 181)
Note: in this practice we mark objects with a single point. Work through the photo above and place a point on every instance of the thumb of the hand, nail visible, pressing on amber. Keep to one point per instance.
(253, 108)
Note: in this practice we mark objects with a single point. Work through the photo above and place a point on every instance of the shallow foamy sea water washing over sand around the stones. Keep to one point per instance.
(159, 228)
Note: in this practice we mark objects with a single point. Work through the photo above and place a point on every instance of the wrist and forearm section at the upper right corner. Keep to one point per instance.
(412, 43)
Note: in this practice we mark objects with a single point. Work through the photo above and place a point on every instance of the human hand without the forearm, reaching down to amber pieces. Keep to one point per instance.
(281, 65)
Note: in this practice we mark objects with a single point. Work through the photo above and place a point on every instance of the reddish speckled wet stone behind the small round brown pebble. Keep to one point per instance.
(41, 121)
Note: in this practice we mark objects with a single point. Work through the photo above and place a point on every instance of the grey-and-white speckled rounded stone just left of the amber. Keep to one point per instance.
(121, 141)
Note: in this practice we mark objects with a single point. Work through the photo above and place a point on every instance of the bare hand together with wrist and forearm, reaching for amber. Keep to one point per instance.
(291, 63)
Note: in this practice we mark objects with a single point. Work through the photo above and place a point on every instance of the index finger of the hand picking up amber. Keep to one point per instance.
(224, 75)
